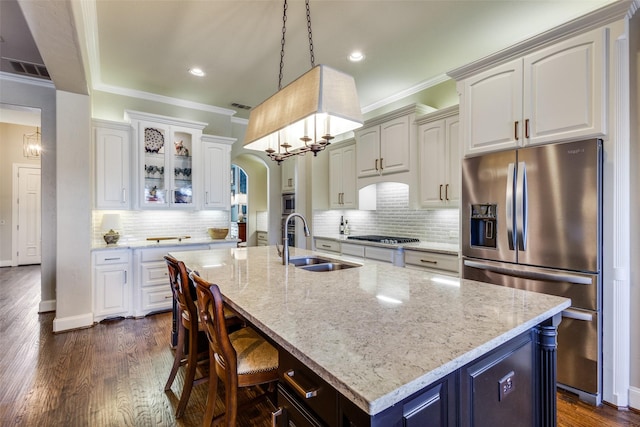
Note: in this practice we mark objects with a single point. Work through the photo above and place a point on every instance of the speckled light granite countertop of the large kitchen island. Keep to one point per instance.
(376, 333)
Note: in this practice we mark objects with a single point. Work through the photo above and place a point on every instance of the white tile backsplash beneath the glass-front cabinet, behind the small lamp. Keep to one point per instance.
(138, 225)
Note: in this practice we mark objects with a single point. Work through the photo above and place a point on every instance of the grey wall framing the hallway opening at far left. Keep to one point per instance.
(38, 94)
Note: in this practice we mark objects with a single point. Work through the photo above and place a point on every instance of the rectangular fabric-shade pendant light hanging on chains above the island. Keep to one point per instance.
(308, 113)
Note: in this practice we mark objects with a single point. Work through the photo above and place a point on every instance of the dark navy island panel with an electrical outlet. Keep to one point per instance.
(499, 389)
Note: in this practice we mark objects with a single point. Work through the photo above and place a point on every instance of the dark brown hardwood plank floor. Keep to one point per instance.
(113, 374)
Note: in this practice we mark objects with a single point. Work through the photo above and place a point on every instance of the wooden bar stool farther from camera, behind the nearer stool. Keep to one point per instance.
(188, 328)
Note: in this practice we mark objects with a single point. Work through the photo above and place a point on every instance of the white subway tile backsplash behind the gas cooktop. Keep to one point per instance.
(392, 217)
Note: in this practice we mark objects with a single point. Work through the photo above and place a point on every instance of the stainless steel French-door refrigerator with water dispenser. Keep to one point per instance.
(532, 219)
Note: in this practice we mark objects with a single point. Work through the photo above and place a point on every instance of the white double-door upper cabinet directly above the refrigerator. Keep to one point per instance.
(553, 94)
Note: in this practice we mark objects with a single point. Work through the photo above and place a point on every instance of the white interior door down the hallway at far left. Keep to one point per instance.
(29, 208)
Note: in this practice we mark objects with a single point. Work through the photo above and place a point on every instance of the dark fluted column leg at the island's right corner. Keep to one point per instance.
(547, 344)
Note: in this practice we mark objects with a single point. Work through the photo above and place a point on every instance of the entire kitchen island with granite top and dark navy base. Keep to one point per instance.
(397, 344)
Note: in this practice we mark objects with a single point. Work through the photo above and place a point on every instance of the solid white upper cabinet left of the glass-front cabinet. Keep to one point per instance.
(112, 160)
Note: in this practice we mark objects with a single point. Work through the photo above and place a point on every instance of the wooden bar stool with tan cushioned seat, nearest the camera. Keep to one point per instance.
(240, 359)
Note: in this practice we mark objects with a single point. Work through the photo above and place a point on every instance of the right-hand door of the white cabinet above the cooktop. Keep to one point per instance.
(394, 146)
